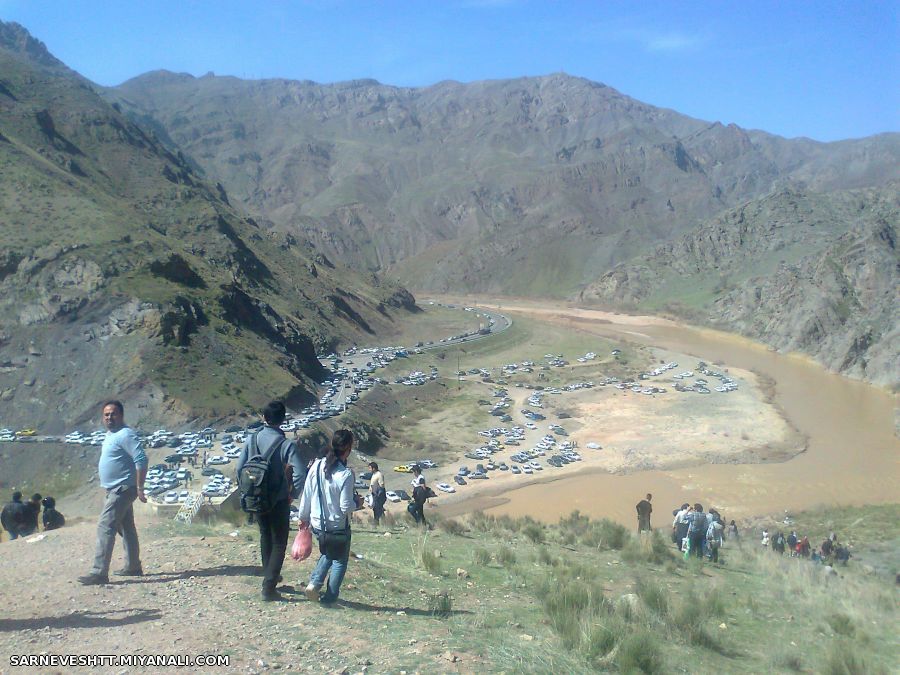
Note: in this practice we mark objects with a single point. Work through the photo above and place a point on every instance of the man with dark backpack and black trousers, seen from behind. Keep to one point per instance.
(270, 475)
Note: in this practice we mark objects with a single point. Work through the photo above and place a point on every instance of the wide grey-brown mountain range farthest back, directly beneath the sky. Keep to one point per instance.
(528, 186)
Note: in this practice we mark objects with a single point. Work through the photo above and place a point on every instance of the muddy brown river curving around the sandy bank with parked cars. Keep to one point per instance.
(852, 455)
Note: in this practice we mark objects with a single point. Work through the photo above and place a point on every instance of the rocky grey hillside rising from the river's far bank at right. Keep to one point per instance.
(798, 270)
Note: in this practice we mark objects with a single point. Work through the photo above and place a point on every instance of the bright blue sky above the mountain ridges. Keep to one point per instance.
(827, 70)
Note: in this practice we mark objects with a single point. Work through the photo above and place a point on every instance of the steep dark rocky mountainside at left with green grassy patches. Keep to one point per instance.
(123, 272)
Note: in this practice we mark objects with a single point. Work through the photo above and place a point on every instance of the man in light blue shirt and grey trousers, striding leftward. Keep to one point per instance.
(122, 470)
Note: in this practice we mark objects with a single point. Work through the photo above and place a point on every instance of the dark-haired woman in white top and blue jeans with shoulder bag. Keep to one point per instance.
(327, 502)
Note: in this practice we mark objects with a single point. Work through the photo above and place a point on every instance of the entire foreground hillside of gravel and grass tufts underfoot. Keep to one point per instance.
(490, 596)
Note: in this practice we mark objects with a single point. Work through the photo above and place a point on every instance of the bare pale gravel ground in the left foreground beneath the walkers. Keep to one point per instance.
(199, 595)
